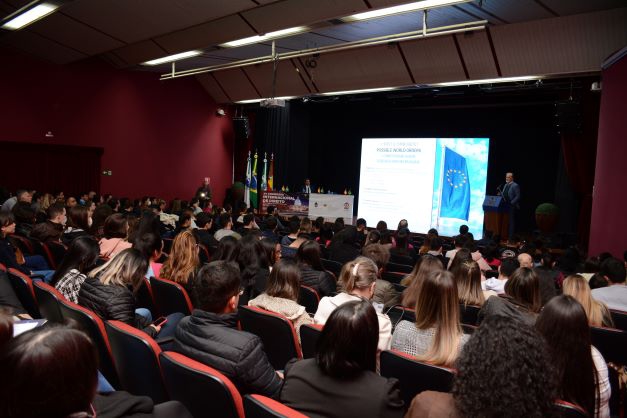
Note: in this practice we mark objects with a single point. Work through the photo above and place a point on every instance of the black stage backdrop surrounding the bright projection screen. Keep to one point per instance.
(323, 141)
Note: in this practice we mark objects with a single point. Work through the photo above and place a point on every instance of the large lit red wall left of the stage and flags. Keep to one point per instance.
(159, 138)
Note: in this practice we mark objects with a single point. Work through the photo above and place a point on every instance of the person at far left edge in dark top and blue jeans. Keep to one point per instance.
(33, 265)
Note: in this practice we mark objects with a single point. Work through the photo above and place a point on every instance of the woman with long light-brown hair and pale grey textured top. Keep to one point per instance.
(436, 336)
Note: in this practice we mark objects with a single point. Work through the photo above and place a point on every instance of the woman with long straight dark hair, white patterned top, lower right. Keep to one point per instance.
(581, 369)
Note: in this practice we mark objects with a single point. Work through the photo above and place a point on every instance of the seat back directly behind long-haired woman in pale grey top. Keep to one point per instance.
(415, 376)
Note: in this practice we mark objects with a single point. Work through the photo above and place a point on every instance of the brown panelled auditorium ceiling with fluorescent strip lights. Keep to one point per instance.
(522, 37)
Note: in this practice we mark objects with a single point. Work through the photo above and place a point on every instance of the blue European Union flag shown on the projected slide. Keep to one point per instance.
(455, 202)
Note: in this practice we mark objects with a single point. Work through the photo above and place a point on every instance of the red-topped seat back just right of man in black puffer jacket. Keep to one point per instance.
(277, 333)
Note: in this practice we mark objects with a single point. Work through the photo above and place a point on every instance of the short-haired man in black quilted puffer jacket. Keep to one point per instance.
(210, 334)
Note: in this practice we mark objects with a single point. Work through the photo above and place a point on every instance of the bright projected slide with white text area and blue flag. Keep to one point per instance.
(432, 182)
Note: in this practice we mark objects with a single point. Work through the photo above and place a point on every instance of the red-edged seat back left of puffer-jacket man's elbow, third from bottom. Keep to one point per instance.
(136, 357)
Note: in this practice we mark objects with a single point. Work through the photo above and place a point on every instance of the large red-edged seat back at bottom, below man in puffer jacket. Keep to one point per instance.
(203, 390)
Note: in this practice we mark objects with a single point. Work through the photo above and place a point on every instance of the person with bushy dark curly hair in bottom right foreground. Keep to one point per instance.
(501, 354)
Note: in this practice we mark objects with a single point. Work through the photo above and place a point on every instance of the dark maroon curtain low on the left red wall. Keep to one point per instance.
(47, 167)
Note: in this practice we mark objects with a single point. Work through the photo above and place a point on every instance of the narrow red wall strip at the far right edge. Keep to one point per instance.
(608, 228)
